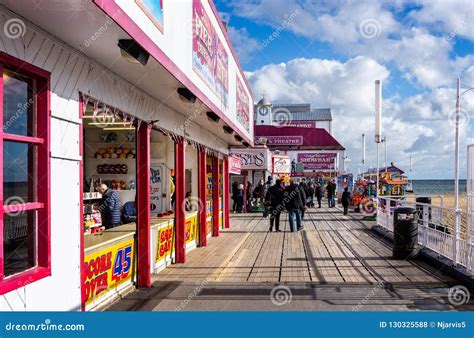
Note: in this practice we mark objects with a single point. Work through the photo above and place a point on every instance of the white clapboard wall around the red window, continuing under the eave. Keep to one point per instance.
(71, 73)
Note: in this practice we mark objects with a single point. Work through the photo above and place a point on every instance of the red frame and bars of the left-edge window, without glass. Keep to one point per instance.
(42, 170)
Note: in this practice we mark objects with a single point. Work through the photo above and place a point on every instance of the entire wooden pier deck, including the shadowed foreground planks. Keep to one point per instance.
(336, 263)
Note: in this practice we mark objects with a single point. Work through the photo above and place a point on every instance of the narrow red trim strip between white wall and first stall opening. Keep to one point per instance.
(81, 206)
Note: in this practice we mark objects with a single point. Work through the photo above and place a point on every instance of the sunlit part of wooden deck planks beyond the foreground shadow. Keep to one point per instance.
(332, 249)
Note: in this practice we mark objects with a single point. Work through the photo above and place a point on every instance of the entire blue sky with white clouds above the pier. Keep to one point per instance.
(330, 52)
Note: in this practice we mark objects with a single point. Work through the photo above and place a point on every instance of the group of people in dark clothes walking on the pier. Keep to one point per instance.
(295, 198)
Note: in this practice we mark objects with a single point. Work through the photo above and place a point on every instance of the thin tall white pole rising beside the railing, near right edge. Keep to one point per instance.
(457, 228)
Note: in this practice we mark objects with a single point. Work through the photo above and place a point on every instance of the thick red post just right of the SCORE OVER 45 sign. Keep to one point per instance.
(143, 207)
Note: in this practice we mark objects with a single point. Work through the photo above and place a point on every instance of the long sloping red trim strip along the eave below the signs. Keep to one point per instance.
(133, 29)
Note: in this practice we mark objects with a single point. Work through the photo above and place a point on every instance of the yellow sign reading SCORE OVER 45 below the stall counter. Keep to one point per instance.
(107, 268)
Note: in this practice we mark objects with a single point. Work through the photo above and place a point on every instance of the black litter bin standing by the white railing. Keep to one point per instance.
(405, 233)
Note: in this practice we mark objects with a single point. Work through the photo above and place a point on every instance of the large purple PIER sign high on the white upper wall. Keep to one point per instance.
(210, 59)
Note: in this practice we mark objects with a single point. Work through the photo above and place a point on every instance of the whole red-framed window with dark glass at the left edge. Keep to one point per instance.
(24, 190)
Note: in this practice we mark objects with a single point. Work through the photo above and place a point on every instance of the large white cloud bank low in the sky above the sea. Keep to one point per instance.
(421, 125)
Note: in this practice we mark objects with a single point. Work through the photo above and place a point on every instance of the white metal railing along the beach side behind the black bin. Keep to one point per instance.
(436, 226)
